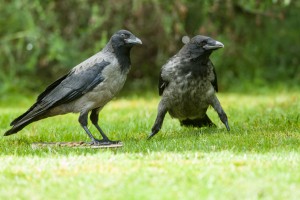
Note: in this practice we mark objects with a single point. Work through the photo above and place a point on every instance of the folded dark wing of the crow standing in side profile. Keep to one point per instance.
(64, 90)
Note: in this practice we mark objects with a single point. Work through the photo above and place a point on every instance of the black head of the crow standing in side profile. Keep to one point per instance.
(124, 38)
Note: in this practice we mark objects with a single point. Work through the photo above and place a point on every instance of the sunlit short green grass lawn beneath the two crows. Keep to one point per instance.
(258, 159)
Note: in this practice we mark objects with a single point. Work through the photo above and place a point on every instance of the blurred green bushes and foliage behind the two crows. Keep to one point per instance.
(41, 40)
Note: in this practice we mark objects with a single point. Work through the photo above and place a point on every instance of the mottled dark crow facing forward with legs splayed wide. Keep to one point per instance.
(188, 83)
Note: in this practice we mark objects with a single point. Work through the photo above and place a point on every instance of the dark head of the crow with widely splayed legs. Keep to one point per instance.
(200, 46)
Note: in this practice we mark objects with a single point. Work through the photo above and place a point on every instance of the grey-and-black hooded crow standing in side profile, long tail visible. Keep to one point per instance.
(86, 88)
